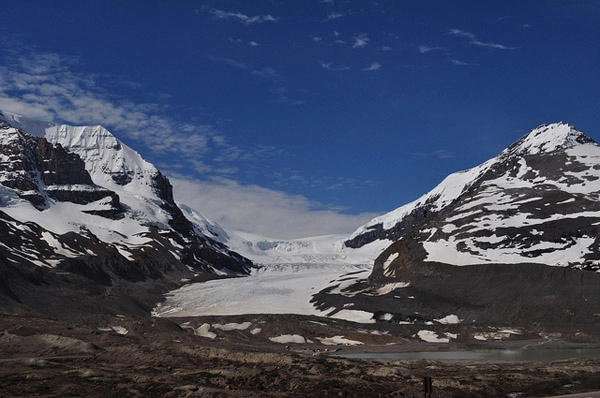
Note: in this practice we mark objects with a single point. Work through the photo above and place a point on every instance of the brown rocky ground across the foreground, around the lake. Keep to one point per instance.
(175, 357)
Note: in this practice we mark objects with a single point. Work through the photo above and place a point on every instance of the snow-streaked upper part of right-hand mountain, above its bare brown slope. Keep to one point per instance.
(536, 202)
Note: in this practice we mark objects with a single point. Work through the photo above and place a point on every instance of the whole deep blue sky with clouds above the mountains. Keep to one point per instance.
(297, 118)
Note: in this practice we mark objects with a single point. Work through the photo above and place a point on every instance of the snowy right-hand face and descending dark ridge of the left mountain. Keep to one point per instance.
(142, 187)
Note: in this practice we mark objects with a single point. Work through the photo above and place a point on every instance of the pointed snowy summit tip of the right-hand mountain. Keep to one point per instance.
(548, 138)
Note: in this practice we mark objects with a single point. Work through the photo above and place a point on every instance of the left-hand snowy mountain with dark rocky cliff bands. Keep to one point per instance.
(77, 200)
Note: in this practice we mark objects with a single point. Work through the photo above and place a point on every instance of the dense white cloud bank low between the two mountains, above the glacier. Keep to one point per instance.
(267, 212)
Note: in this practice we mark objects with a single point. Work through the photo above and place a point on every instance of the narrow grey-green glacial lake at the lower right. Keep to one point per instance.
(498, 355)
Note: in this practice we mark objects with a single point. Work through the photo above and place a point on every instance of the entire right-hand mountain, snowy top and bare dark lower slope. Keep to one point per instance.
(511, 240)
